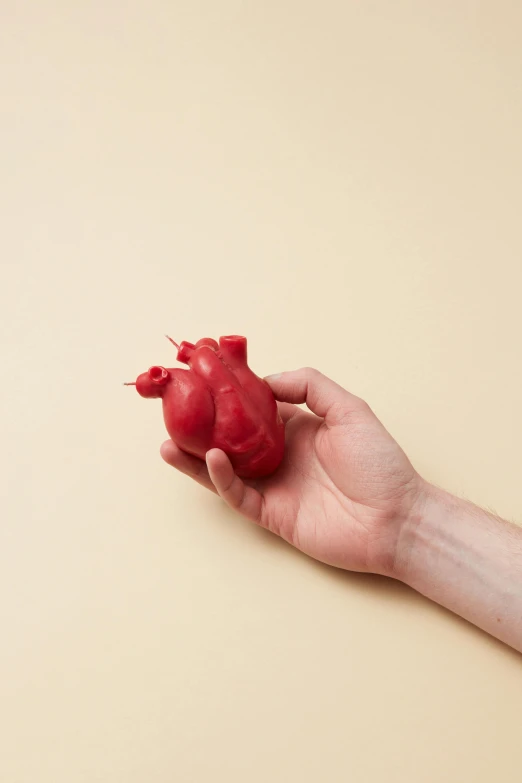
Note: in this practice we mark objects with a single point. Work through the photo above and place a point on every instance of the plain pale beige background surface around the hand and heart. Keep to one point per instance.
(342, 183)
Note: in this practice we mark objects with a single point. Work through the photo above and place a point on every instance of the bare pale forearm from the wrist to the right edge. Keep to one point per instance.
(466, 560)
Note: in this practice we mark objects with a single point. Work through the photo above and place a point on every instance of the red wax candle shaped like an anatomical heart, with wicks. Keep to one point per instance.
(219, 403)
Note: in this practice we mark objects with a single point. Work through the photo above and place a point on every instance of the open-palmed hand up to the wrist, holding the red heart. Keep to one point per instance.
(344, 489)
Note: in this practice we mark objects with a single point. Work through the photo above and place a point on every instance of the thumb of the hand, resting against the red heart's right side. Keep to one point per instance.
(323, 396)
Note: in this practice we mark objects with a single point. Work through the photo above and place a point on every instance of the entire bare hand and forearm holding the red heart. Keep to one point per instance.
(346, 494)
